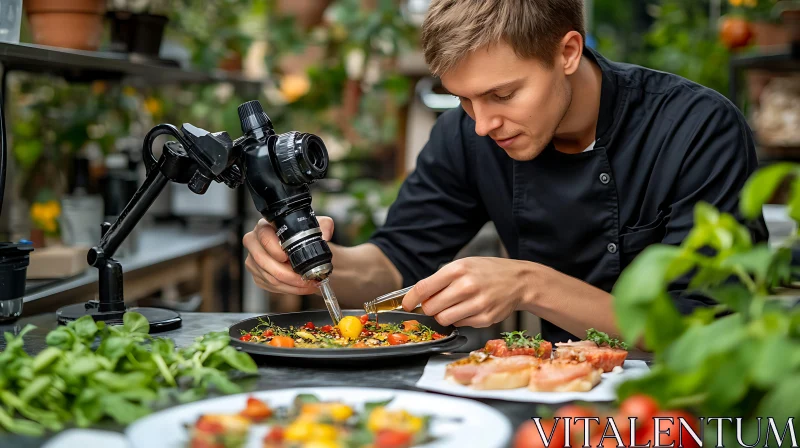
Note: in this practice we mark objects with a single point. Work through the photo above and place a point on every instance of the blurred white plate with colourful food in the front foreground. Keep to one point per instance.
(324, 418)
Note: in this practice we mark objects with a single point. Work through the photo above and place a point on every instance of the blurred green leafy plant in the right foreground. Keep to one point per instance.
(740, 357)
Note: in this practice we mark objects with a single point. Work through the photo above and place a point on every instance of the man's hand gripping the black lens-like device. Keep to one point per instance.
(269, 264)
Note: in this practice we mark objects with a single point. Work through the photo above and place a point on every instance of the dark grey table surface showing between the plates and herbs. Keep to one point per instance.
(273, 376)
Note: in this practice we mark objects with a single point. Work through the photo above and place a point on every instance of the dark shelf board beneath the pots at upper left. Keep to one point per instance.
(77, 65)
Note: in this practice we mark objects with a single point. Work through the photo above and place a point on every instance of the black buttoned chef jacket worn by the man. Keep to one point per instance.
(663, 144)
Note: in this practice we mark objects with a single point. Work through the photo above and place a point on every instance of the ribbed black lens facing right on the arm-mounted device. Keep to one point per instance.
(302, 158)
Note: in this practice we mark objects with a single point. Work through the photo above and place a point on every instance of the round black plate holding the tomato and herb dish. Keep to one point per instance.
(450, 342)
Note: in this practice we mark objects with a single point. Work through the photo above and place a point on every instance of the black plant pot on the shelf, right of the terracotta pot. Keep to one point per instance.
(137, 26)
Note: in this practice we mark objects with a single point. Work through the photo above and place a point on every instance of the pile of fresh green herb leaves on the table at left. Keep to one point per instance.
(91, 371)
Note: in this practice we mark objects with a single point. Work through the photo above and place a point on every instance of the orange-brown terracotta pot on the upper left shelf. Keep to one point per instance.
(76, 24)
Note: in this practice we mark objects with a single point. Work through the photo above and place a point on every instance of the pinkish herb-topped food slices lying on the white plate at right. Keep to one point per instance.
(518, 361)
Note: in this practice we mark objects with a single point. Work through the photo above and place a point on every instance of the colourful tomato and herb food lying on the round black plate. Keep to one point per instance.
(351, 332)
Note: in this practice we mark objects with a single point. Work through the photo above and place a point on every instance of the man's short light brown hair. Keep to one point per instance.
(533, 28)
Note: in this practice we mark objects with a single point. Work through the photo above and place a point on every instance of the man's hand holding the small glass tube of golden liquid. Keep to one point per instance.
(475, 292)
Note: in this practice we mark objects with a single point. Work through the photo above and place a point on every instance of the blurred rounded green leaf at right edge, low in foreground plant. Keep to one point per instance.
(774, 359)
